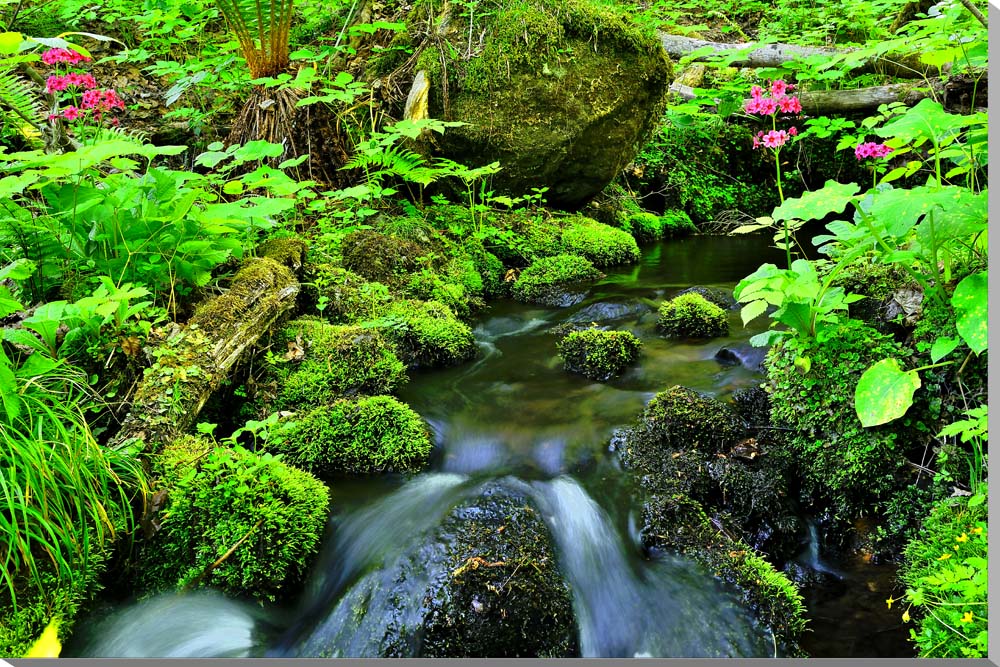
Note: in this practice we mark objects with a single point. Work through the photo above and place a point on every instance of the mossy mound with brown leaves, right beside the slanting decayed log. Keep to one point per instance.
(338, 360)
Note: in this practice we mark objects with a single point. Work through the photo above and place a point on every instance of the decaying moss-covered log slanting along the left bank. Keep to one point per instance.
(192, 362)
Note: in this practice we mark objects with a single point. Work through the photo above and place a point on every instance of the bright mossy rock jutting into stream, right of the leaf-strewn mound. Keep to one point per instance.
(427, 334)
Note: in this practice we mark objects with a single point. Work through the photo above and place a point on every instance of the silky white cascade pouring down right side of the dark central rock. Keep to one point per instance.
(667, 608)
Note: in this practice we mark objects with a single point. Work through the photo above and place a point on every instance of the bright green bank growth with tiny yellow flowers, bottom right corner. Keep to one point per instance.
(945, 571)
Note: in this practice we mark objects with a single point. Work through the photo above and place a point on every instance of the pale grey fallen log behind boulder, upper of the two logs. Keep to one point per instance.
(902, 66)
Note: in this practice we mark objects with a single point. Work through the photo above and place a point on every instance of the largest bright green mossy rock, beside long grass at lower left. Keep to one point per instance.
(244, 523)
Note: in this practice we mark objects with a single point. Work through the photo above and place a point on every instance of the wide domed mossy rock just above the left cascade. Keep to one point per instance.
(357, 437)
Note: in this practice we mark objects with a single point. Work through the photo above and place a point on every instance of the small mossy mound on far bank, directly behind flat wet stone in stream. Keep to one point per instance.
(555, 281)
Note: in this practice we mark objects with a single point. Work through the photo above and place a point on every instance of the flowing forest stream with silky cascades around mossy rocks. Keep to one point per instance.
(514, 414)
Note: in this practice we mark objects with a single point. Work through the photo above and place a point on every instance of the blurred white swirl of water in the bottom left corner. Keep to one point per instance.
(200, 624)
